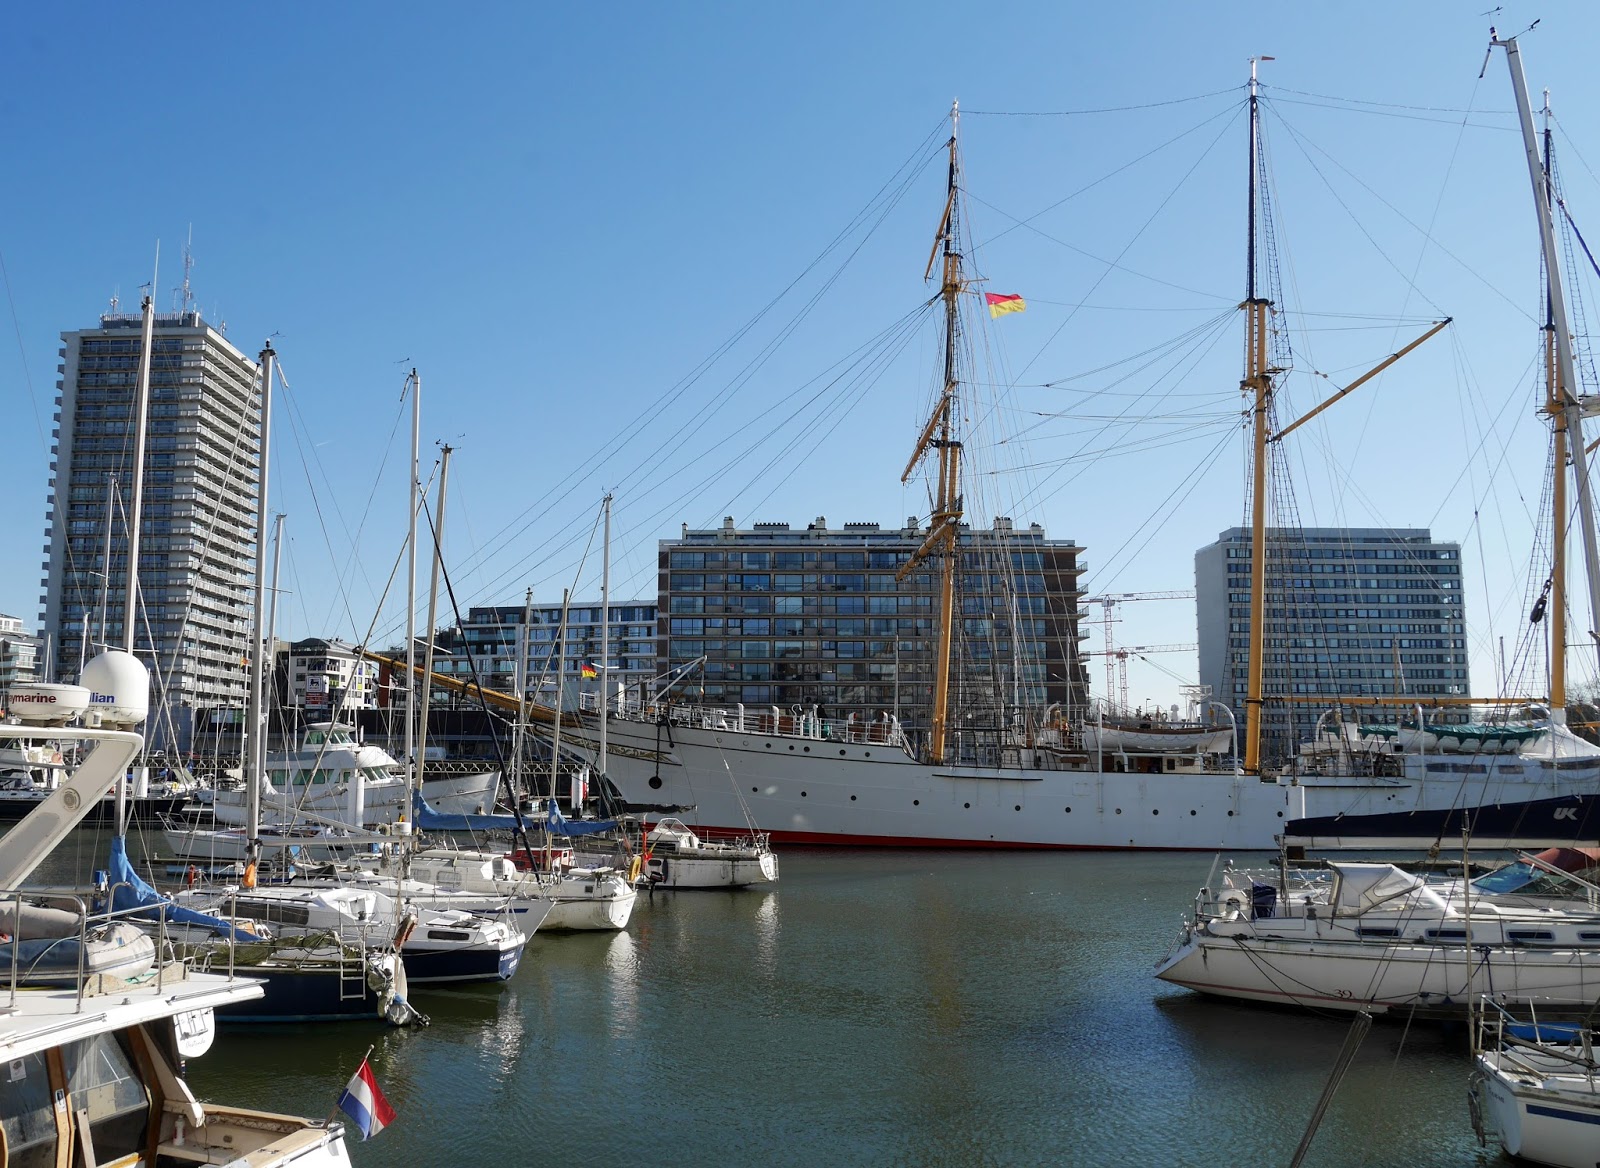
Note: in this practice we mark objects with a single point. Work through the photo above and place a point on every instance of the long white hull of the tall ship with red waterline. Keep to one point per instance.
(742, 774)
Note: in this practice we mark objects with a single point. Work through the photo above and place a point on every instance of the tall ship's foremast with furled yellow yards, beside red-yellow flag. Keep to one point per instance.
(940, 434)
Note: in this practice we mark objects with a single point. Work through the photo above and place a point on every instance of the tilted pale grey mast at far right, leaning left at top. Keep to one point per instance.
(1567, 385)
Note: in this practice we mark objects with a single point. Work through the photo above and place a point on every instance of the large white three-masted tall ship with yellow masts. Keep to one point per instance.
(1049, 780)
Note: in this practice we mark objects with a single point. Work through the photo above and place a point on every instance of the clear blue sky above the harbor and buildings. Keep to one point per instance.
(564, 215)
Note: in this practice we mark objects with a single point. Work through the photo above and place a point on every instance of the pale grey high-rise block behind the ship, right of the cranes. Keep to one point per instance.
(1356, 614)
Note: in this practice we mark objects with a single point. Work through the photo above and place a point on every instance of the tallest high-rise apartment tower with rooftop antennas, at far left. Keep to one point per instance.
(201, 484)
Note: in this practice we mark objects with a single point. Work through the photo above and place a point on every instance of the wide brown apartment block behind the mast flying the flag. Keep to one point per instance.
(815, 618)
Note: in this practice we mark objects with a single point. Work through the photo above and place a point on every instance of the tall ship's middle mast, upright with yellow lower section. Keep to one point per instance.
(1258, 383)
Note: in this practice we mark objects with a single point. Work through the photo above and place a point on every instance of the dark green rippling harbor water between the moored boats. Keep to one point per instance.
(874, 1009)
